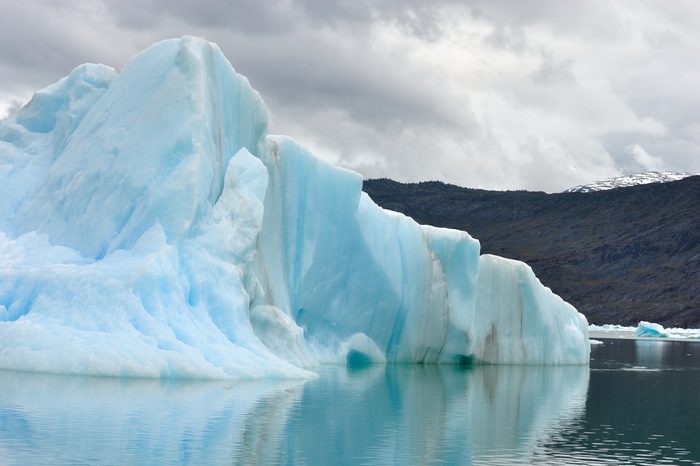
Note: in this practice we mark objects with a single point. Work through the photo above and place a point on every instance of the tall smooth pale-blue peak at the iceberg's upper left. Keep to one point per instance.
(161, 133)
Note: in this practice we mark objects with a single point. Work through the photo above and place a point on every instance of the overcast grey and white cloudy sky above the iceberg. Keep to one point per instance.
(498, 94)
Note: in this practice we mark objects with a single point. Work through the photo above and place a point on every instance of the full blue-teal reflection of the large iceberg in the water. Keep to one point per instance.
(403, 414)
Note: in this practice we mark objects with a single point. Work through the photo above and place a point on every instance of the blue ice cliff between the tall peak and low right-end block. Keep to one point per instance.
(341, 266)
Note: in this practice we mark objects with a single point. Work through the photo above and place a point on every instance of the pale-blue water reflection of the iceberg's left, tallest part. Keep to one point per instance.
(49, 419)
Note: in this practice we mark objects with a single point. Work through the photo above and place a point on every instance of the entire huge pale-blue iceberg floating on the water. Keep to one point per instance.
(149, 226)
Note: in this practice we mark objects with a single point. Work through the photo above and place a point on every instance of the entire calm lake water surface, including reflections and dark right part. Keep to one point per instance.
(638, 403)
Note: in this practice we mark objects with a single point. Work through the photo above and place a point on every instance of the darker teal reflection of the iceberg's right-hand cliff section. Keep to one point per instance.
(413, 414)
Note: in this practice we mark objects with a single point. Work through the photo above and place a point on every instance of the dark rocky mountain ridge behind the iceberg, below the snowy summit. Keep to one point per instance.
(620, 256)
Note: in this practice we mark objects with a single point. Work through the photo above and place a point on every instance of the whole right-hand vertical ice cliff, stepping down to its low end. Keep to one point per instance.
(343, 267)
